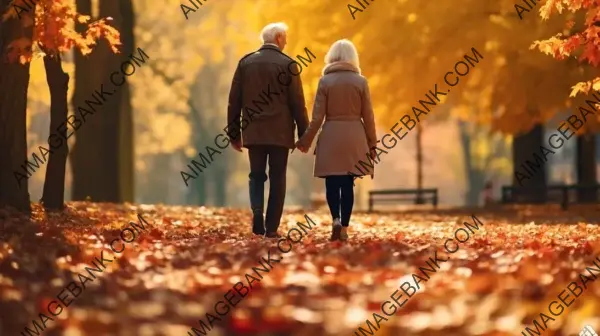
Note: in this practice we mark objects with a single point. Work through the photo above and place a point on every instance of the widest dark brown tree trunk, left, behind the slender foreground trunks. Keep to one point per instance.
(97, 153)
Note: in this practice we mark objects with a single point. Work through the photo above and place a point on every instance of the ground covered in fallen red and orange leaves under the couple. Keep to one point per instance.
(187, 258)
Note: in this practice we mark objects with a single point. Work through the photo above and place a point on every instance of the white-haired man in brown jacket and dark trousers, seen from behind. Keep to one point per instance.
(266, 86)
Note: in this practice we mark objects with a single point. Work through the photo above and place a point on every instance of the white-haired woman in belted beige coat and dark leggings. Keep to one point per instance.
(343, 101)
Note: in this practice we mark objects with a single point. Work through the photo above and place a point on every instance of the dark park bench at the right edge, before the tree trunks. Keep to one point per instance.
(560, 193)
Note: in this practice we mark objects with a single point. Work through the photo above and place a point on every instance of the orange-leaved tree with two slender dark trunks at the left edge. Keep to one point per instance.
(46, 28)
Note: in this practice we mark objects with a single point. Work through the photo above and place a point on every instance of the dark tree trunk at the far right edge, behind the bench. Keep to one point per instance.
(586, 168)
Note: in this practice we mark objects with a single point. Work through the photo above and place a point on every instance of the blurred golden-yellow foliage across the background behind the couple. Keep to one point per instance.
(405, 48)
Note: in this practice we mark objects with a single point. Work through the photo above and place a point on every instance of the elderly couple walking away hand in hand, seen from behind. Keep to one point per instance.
(342, 110)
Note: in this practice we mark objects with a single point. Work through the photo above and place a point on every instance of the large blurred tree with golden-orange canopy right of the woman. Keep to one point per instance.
(417, 43)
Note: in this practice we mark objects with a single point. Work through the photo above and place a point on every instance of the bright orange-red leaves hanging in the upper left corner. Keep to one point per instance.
(54, 30)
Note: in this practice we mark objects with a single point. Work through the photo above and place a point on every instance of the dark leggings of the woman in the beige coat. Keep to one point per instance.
(339, 190)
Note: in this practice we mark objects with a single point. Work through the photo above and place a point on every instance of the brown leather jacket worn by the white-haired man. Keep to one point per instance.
(268, 97)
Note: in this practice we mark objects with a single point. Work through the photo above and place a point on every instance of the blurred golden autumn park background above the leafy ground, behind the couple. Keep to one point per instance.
(178, 98)
